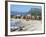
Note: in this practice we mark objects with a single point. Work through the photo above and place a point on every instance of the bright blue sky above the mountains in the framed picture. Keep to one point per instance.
(21, 8)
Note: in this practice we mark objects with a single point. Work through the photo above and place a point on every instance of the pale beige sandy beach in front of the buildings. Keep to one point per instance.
(30, 25)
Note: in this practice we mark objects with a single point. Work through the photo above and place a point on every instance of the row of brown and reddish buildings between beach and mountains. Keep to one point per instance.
(27, 17)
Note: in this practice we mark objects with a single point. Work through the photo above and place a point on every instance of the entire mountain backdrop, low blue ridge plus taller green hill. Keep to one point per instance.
(33, 11)
